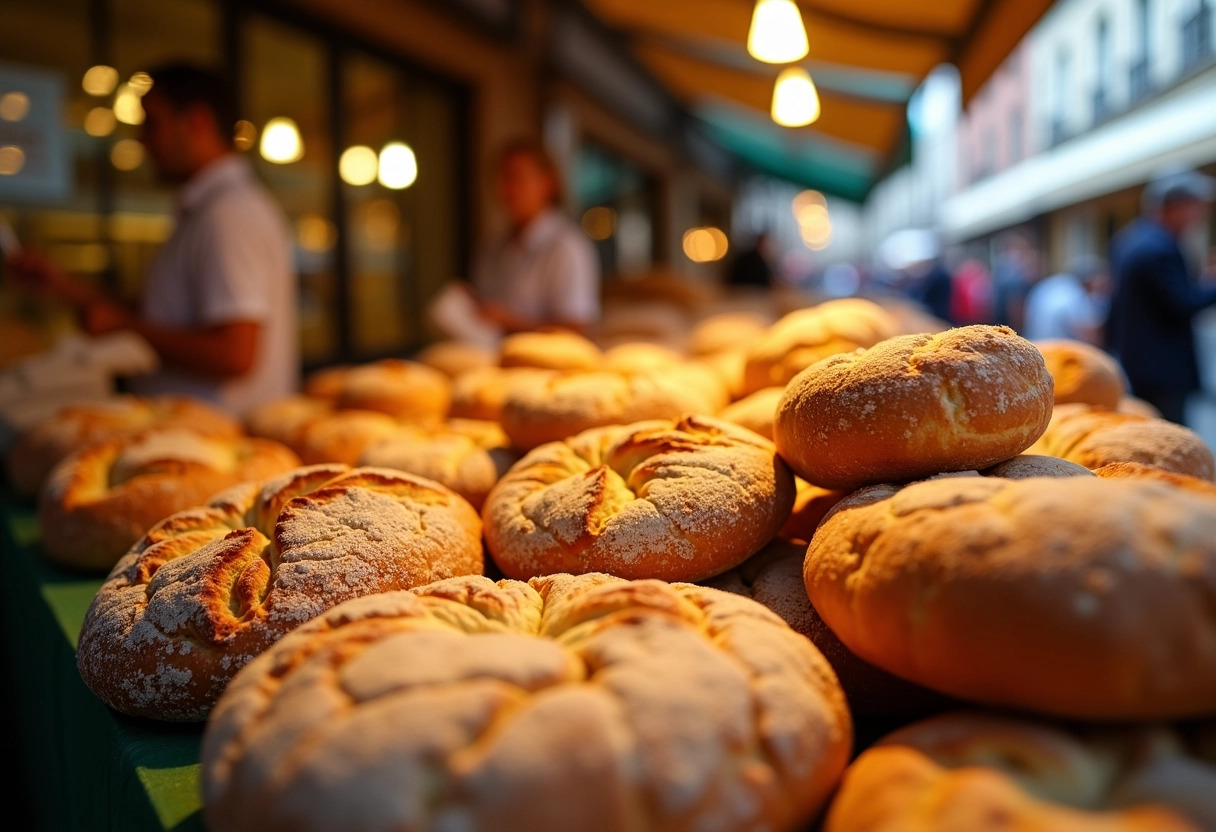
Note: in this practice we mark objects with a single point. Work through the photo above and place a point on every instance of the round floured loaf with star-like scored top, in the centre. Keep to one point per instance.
(675, 501)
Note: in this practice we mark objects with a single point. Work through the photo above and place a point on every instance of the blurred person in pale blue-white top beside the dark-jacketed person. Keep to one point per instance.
(1069, 305)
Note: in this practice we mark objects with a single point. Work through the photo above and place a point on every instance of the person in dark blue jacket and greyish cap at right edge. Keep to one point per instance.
(1151, 328)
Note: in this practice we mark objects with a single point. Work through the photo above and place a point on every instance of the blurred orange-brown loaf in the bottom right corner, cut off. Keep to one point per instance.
(987, 773)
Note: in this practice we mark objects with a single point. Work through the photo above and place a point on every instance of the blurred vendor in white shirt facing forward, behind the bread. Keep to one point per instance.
(544, 272)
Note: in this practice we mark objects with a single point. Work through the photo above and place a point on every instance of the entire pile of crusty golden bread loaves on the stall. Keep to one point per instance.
(559, 588)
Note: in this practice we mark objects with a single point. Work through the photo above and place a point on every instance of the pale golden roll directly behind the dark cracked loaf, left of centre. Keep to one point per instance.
(469, 457)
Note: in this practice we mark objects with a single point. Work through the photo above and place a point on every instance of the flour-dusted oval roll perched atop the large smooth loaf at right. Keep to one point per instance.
(914, 407)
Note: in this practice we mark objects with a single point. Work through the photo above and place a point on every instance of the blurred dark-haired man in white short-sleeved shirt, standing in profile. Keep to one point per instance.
(218, 303)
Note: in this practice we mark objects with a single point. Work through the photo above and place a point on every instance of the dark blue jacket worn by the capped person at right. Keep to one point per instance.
(1151, 327)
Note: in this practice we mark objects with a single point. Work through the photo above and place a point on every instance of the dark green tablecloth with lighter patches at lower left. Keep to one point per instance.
(81, 764)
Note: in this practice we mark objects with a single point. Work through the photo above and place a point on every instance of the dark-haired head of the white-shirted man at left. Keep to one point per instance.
(189, 116)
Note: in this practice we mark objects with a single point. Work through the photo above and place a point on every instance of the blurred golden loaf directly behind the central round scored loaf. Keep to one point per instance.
(568, 403)
